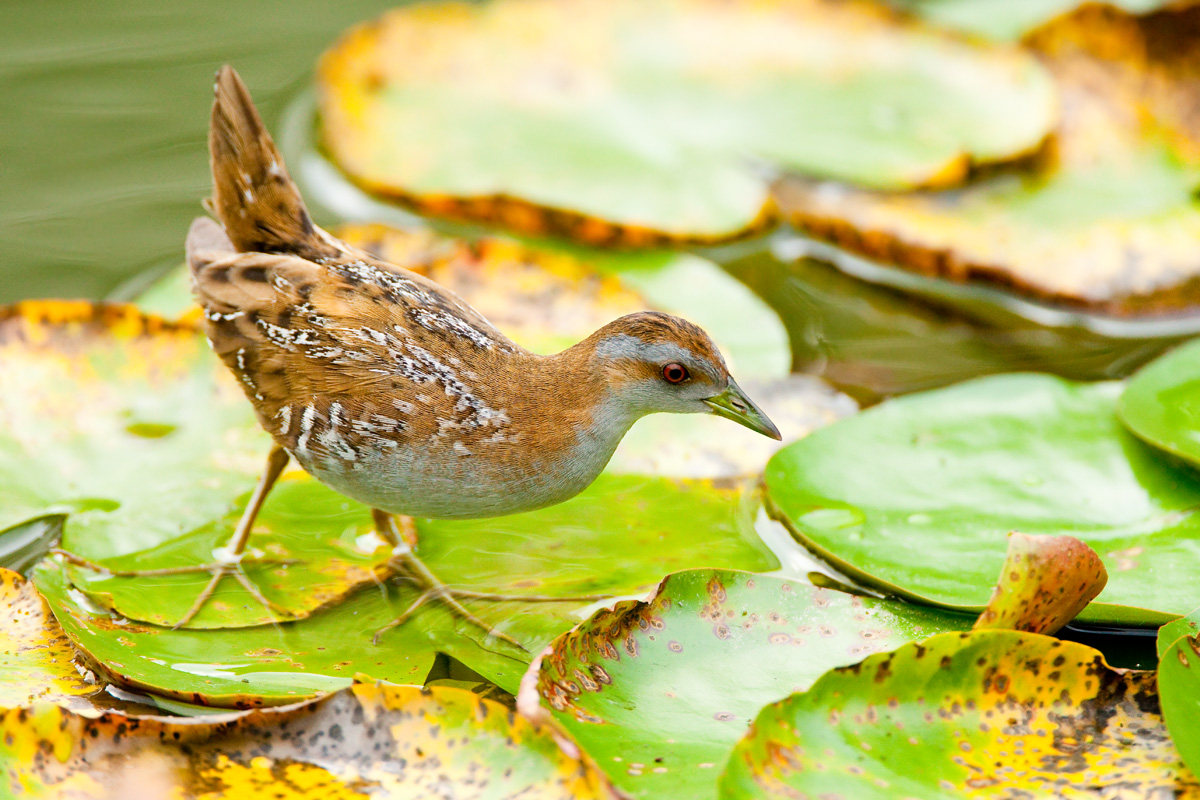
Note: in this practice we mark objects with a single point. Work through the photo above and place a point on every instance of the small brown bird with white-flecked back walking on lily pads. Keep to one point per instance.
(392, 390)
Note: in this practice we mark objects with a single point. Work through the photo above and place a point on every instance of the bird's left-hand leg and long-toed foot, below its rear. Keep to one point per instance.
(229, 558)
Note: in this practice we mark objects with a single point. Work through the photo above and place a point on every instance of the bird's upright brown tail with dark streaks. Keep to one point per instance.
(253, 194)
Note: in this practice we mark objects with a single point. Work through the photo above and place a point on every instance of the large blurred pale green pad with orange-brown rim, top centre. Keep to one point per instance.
(638, 123)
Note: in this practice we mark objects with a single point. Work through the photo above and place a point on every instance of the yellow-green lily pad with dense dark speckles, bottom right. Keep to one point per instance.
(997, 714)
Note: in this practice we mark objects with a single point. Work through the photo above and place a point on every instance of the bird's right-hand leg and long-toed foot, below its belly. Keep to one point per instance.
(433, 587)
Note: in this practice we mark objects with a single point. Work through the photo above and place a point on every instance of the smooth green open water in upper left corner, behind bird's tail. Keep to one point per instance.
(106, 107)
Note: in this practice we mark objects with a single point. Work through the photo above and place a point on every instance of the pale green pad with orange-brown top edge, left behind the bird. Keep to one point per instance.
(122, 422)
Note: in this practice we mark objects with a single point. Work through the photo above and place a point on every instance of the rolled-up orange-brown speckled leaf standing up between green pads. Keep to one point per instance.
(1045, 584)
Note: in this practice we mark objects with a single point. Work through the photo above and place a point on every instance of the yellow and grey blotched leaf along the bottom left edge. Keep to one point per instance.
(371, 741)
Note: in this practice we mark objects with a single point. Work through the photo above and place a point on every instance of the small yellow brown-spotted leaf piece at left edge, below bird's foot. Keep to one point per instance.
(37, 659)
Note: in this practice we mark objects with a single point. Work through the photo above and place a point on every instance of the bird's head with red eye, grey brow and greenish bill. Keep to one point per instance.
(658, 363)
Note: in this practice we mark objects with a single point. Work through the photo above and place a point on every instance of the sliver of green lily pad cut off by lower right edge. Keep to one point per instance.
(1179, 684)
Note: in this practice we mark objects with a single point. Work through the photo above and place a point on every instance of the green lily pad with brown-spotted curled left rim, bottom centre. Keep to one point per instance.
(659, 691)
